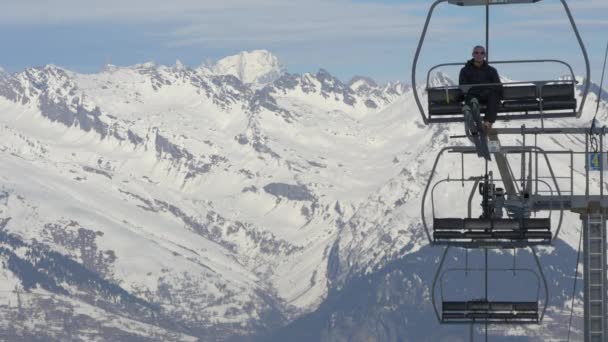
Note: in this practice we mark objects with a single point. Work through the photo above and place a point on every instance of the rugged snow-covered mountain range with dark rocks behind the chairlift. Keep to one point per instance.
(213, 202)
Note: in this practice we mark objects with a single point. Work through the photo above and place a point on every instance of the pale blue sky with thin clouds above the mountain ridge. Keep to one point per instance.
(346, 37)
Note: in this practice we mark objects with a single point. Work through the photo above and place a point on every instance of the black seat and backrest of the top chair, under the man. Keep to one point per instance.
(518, 101)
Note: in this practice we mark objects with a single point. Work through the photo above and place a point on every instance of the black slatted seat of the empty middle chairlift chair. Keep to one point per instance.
(479, 231)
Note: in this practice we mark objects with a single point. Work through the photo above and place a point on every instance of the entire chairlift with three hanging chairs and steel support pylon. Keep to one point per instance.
(544, 99)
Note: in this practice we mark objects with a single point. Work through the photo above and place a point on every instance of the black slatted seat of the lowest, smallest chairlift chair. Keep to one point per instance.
(489, 311)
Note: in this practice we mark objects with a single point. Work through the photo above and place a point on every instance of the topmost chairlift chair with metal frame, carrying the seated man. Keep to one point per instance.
(520, 100)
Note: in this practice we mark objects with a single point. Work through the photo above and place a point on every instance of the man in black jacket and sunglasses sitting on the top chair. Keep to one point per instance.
(478, 71)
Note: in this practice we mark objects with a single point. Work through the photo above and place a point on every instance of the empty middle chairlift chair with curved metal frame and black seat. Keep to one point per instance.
(493, 228)
